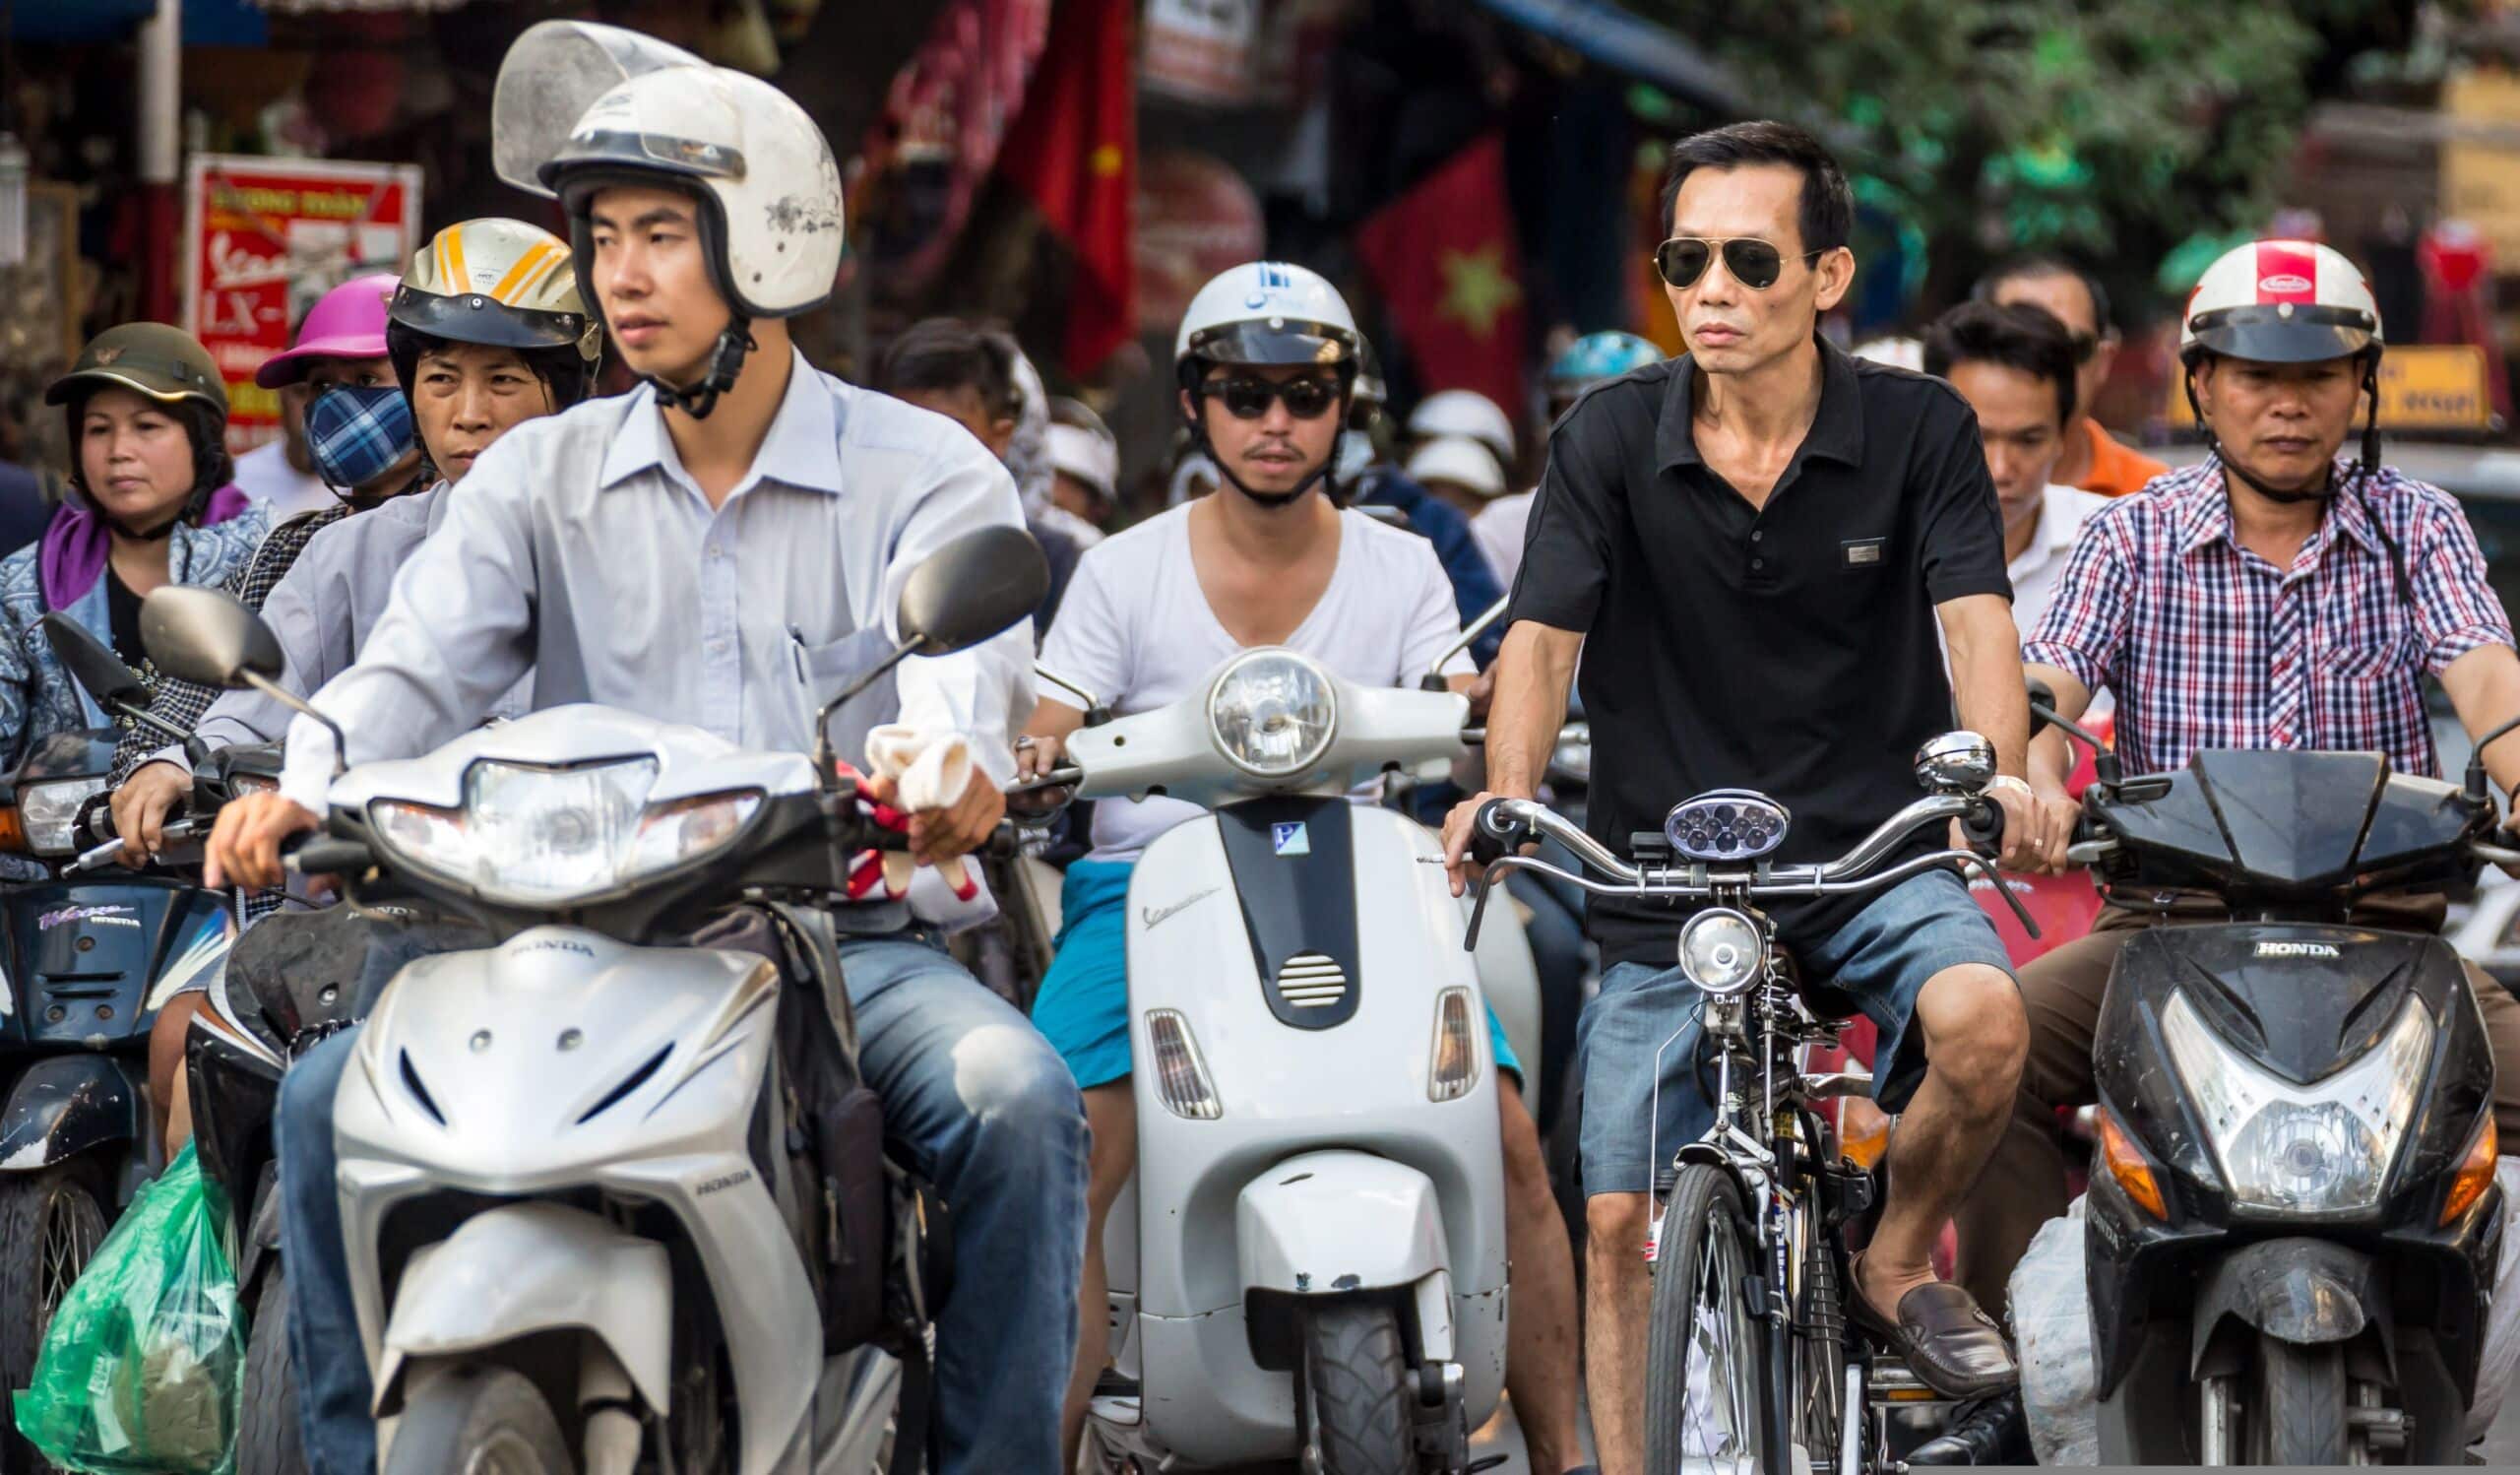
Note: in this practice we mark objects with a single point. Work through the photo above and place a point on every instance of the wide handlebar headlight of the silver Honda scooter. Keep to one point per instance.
(543, 836)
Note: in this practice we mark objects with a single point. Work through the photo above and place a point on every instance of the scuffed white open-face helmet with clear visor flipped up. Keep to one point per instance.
(581, 107)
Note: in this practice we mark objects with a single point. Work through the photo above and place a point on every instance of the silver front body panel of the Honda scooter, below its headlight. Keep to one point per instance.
(588, 1063)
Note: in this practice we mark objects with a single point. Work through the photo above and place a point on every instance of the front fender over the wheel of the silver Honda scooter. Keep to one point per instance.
(525, 1270)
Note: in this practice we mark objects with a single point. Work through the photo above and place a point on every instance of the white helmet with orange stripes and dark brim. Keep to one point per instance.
(503, 284)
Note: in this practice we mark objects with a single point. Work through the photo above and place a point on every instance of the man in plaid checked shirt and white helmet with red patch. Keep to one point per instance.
(2269, 599)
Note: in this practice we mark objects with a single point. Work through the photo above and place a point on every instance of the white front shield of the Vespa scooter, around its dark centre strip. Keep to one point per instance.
(1360, 1088)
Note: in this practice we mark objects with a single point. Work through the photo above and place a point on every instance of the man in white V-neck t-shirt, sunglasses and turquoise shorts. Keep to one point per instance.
(1269, 362)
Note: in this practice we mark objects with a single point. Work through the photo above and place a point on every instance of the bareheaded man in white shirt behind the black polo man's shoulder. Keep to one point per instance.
(2017, 369)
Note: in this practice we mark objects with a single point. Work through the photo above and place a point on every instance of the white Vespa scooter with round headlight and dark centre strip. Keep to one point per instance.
(1312, 1259)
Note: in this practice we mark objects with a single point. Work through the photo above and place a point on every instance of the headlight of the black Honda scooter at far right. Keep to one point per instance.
(2302, 1151)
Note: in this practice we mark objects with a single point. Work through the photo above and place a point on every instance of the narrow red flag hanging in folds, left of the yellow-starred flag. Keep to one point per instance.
(1075, 158)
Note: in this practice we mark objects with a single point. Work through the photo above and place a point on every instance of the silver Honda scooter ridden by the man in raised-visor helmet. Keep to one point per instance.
(583, 1234)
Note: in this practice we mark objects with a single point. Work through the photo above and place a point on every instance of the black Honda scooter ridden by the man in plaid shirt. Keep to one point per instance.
(2294, 1217)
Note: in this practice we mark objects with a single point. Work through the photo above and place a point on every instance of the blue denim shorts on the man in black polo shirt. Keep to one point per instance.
(1881, 959)
